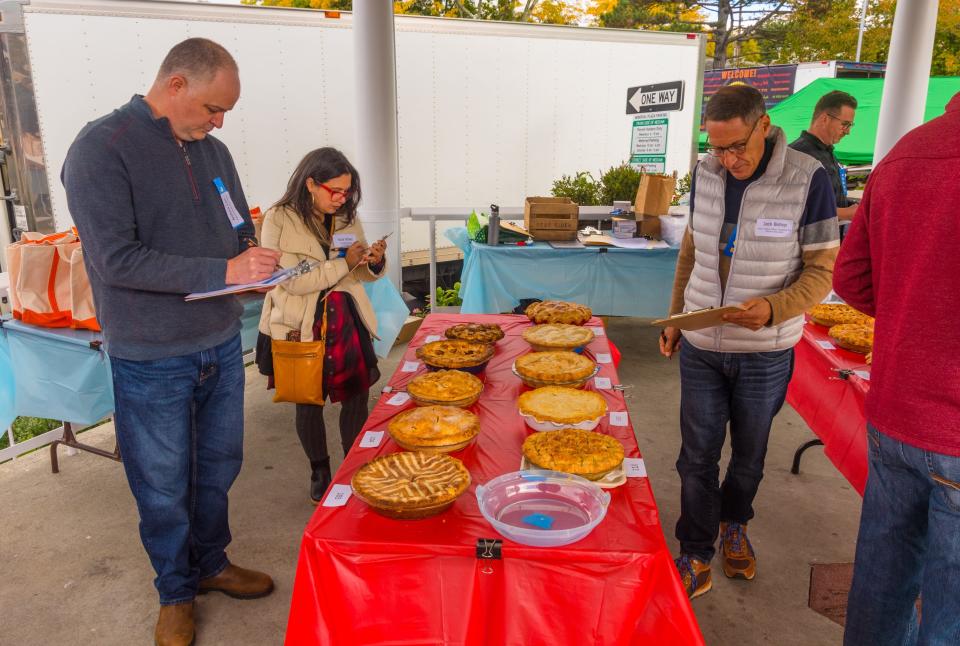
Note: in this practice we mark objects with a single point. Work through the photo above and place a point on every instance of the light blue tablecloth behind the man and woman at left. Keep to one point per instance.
(54, 373)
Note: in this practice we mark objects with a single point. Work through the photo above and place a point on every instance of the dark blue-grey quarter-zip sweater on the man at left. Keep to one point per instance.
(154, 228)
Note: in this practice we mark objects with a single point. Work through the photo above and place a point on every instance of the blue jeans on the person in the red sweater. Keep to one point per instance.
(909, 545)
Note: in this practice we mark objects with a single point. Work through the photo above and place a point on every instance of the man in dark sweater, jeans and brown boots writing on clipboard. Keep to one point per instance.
(161, 213)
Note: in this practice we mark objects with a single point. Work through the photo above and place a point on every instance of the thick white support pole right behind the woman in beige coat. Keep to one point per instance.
(378, 159)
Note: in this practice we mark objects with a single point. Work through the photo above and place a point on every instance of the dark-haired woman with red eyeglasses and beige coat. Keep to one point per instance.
(316, 219)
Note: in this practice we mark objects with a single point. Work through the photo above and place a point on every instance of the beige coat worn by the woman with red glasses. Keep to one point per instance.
(291, 305)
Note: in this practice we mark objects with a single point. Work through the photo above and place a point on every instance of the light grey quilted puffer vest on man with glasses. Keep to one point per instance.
(761, 264)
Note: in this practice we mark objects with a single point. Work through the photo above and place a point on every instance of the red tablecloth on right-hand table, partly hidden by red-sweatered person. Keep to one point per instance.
(830, 397)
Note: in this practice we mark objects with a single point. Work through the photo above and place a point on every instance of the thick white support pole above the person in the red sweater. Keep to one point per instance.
(908, 73)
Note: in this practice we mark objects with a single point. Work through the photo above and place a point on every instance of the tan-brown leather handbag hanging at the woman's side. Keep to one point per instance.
(298, 368)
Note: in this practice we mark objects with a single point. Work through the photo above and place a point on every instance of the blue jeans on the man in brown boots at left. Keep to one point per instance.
(179, 424)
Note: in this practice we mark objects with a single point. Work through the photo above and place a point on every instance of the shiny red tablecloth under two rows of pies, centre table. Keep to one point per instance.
(365, 579)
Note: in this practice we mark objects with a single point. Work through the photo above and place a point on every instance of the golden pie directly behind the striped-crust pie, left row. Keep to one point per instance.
(438, 429)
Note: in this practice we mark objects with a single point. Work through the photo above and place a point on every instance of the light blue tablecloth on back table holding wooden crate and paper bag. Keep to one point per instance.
(613, 282)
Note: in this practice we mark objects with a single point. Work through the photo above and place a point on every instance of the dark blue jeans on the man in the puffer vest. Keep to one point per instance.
(747, 390)
